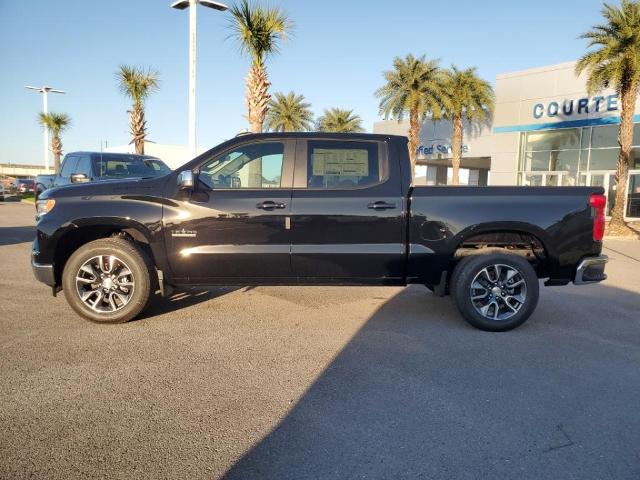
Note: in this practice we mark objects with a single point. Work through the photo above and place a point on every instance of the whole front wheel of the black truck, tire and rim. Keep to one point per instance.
(108, 281)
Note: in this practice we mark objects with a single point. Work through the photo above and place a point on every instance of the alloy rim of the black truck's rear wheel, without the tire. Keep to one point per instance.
(498, 292)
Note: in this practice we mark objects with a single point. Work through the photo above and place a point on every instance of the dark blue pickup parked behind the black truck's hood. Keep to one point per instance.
(83, 167)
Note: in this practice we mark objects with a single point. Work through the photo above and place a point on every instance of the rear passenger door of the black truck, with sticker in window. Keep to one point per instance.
(347, 219)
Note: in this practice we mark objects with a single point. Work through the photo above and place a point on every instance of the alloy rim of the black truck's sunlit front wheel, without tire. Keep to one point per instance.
(105, 283)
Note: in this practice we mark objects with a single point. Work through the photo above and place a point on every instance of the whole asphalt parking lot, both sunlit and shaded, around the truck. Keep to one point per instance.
(318, 382)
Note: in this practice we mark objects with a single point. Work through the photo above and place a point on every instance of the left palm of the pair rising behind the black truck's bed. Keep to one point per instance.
(414, 87)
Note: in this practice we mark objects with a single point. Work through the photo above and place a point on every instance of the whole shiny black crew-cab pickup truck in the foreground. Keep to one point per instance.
(314, 209)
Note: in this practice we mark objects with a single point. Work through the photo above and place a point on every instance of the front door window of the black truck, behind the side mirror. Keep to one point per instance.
(256, 165)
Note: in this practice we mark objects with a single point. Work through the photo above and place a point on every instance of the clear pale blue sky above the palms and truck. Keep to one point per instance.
(335, 58)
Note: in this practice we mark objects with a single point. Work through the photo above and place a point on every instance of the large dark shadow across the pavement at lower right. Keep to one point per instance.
(417, 393)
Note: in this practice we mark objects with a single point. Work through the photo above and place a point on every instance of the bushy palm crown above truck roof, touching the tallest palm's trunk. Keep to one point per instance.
(289, 113)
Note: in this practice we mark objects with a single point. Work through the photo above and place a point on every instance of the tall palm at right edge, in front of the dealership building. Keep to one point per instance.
(615, 62)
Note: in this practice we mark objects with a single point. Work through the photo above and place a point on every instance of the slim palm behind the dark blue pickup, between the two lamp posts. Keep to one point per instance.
(137, 83)
